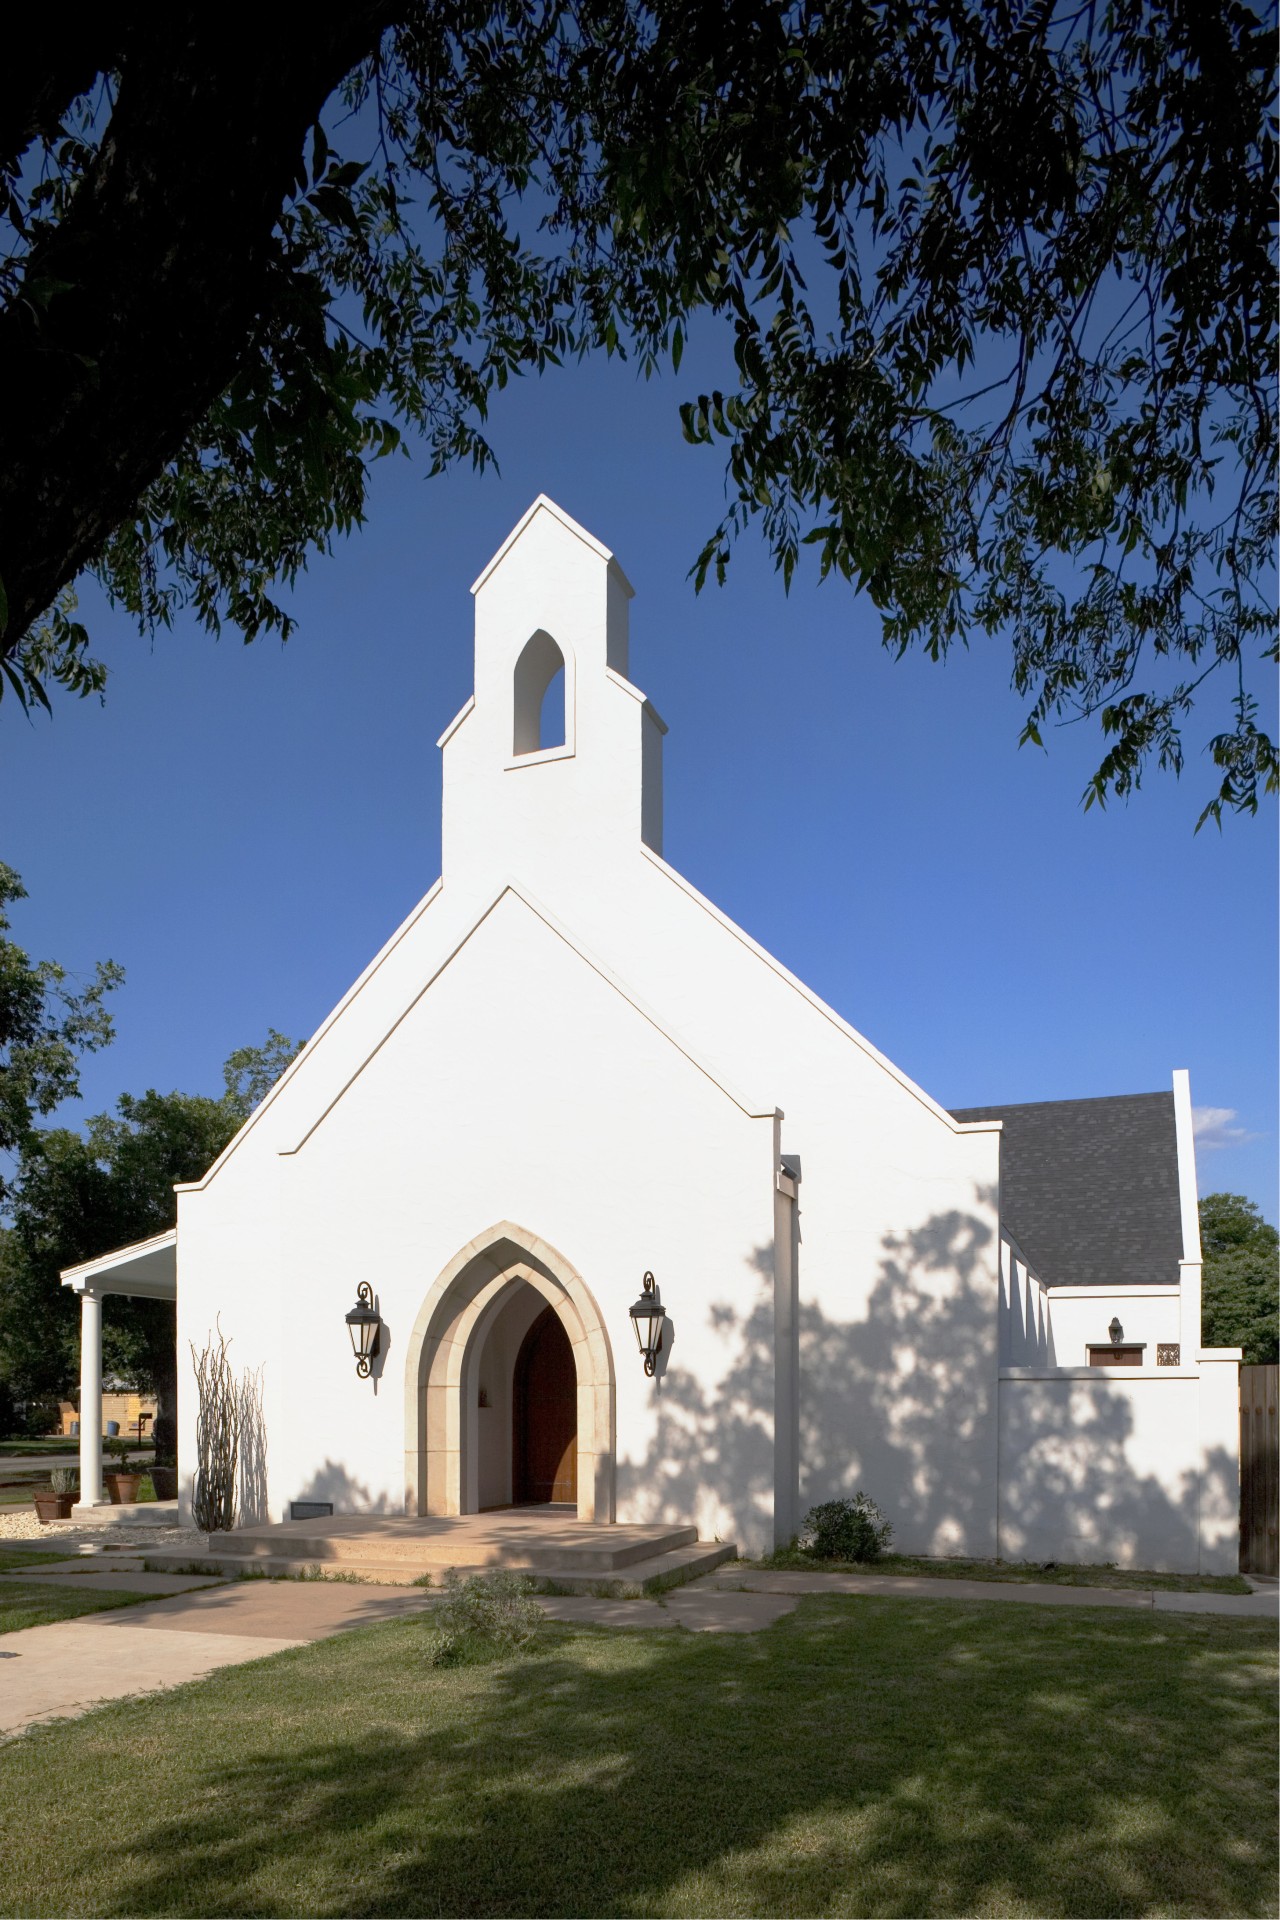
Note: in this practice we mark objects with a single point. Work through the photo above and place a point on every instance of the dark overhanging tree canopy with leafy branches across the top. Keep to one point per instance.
(997, 277)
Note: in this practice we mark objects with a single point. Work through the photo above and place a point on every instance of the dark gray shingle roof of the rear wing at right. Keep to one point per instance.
(1089, 1189)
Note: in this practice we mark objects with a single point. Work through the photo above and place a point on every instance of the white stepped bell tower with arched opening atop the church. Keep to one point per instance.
(556, 761)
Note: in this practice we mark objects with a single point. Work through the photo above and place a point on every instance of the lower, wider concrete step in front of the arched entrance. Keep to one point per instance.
(652, 1573)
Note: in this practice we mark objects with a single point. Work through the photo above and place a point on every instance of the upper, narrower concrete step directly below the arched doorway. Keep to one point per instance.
(590, 1550)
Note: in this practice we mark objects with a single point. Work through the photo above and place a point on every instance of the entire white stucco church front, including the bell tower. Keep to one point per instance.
(567, 1036)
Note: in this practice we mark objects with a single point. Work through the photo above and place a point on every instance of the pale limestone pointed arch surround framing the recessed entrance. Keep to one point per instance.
(442, 1424)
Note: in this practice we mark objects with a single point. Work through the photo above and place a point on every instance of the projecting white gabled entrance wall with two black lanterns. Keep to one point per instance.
(521, 1088)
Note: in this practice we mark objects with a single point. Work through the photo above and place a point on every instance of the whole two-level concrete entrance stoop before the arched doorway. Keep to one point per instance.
(559, 1552)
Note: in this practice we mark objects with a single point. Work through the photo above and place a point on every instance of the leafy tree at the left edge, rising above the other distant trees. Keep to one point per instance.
(45, 1028)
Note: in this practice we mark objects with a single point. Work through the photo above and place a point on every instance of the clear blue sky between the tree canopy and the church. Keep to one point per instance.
(243, 827)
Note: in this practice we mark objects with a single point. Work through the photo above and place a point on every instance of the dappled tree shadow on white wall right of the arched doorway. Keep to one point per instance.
(903, 1404)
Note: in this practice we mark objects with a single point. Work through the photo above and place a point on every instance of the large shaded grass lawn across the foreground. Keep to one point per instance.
(861, 1758)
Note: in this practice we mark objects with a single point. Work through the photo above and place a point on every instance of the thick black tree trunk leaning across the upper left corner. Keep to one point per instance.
(137, 308)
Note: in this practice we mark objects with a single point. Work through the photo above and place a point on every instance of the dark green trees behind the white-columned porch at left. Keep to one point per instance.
(80, 1195)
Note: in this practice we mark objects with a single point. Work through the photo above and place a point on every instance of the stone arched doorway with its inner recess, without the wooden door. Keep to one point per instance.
(460, 1378)
